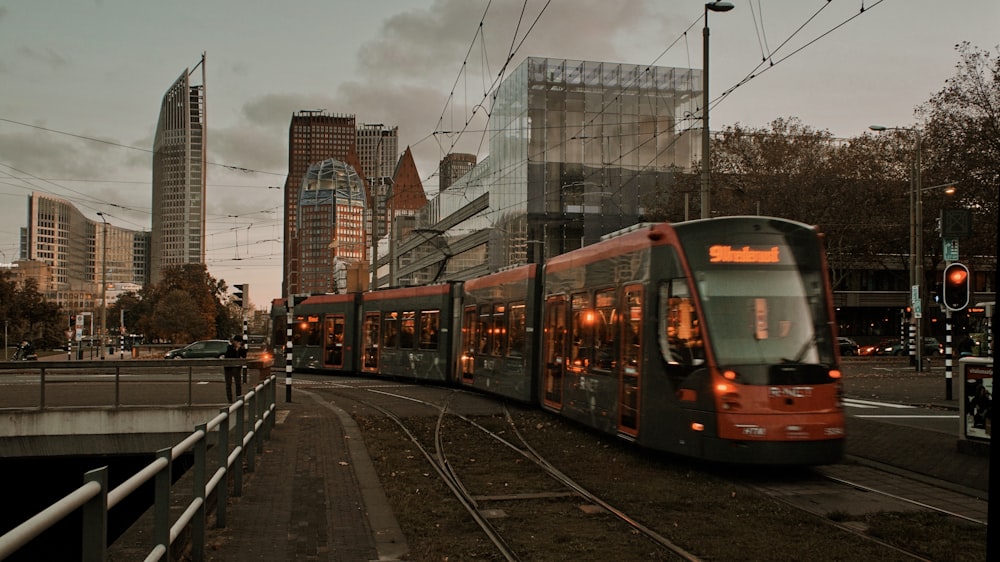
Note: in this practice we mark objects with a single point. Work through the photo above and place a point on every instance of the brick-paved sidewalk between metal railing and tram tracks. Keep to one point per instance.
(314, 496)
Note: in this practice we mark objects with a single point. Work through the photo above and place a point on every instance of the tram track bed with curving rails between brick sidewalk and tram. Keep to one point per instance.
(489, 466)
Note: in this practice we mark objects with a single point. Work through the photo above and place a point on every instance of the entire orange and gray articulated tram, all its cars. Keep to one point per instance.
(712, 339)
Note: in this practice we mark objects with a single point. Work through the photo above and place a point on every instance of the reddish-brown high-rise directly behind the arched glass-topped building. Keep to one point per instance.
(313, 136)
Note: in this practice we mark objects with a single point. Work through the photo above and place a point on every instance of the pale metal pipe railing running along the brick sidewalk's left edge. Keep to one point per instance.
(254, 415)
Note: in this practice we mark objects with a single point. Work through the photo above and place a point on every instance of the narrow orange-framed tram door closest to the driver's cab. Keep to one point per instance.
(631, 354)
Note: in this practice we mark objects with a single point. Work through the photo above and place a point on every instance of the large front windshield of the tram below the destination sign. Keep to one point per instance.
(765, 316)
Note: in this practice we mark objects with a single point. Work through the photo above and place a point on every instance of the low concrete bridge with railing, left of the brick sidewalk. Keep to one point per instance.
(59, 408)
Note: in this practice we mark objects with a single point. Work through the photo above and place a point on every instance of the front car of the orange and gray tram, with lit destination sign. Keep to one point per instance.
(713, 339)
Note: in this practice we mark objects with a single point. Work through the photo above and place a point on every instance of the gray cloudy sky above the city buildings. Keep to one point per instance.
(81, 84)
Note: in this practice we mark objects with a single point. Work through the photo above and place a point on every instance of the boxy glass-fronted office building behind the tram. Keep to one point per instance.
(577, 149)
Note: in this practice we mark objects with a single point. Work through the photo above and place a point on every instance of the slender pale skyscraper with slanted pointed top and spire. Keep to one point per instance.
(177, 235)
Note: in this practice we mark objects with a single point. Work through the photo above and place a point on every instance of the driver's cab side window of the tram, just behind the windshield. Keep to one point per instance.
(680, 337)
